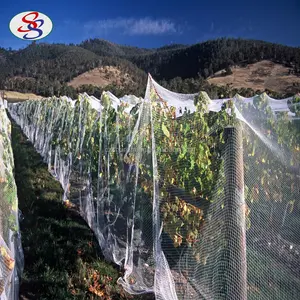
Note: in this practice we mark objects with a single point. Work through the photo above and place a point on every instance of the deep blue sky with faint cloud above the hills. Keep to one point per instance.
(155, 23)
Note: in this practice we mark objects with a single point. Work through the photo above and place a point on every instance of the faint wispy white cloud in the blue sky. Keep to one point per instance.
(131, 26)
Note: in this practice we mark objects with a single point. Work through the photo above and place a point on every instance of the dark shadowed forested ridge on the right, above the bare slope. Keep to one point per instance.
(209, 57)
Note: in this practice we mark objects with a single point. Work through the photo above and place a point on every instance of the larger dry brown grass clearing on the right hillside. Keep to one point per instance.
(260, 76)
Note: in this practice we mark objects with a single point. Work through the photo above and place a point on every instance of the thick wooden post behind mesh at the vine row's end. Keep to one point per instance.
(236, 272)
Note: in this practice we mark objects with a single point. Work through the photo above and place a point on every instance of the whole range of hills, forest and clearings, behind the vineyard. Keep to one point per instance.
(94, 65)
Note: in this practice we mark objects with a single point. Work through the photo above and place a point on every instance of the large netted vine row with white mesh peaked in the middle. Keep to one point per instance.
(195, 198)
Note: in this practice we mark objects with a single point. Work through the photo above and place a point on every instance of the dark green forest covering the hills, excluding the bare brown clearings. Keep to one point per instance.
(45, 69)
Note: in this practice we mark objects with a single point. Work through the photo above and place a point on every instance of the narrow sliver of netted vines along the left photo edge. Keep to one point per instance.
(11, 255)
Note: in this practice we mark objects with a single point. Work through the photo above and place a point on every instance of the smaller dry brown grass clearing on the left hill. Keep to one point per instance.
(102, 77)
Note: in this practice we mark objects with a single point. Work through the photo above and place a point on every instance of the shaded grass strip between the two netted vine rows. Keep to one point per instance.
(62, 257)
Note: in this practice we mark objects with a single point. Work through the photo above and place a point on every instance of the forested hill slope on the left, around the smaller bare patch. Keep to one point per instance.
(46, 68)
